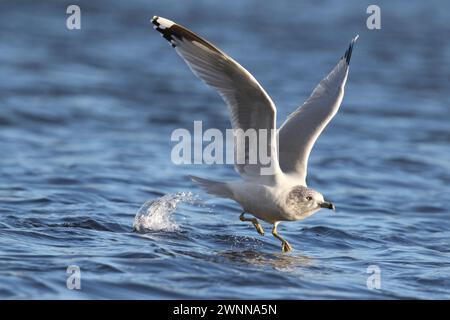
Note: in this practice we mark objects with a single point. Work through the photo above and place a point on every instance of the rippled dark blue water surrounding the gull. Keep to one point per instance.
(85, 124)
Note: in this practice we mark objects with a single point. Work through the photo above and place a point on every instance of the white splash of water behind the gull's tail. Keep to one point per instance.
(156, 215)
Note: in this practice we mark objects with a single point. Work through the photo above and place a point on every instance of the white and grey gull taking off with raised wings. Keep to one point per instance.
(283, 194)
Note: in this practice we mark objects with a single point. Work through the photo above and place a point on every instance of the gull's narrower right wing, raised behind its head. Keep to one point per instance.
(302, 128)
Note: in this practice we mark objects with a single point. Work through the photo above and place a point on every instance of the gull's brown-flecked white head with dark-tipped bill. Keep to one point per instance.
(303, 200)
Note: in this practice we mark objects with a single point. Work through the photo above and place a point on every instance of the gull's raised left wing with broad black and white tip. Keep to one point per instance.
(249, 105)
